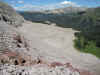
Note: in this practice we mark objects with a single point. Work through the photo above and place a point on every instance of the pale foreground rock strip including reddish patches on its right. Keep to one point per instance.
(42, 69)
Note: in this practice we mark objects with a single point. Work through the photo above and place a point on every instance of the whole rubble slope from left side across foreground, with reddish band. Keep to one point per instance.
(14, 58)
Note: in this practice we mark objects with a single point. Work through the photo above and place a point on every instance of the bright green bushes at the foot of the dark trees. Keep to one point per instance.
(90, 47)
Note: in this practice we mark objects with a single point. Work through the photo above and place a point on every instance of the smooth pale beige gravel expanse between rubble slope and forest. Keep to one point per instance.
(56, 44)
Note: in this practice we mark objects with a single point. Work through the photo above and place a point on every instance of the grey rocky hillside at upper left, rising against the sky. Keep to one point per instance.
(9, 15)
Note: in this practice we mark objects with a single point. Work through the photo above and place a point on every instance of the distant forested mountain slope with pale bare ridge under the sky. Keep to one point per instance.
(62, 16)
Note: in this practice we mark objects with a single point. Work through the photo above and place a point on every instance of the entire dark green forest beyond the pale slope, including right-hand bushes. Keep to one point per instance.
(87, 22)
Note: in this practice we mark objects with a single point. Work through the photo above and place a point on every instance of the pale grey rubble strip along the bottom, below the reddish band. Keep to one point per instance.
(36, 70)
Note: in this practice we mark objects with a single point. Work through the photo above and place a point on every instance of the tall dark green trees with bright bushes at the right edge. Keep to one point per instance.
(88, 39)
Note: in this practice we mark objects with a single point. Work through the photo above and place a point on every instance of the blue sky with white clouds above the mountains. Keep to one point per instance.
(24, 5)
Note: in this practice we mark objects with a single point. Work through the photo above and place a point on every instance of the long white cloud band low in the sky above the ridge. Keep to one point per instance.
(45, 7)
